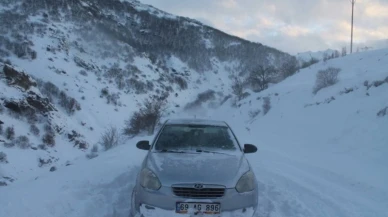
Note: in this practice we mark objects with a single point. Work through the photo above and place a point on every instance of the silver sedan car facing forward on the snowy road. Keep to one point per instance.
(195, 168)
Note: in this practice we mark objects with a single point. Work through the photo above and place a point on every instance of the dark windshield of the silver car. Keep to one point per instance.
(196, 137)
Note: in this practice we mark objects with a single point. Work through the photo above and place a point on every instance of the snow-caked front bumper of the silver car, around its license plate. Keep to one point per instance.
(163, 202)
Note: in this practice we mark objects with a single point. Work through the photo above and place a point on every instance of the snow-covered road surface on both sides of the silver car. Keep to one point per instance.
(101, 188)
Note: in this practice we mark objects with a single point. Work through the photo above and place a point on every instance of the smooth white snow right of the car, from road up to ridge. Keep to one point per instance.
(327, 159)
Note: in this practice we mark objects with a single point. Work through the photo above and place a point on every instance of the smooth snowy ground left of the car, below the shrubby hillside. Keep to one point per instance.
(97, 187)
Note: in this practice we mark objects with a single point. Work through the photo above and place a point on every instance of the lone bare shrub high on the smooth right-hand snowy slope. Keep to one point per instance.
(326, 78)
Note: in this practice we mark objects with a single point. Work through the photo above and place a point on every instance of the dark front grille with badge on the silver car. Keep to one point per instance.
(199, 193)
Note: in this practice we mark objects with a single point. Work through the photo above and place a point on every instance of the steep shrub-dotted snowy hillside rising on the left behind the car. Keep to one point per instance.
(70, 70)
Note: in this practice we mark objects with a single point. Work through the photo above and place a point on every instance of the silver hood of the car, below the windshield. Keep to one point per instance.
(205, 168)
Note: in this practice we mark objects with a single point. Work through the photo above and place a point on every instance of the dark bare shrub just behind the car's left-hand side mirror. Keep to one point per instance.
(146, 119)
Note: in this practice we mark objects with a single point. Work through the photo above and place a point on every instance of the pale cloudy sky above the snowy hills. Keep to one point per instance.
(292, 26)
